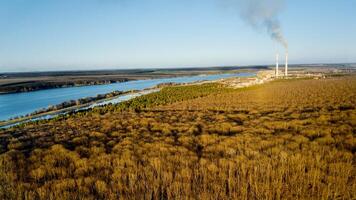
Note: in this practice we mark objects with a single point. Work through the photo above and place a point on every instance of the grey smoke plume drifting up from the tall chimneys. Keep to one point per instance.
(263, 13)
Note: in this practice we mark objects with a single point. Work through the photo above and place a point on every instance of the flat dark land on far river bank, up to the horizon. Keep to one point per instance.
(31, 81)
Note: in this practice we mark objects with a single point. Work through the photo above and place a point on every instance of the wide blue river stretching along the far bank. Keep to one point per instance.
(18, 104)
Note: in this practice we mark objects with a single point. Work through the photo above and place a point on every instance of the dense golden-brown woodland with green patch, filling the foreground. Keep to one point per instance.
(288, 139)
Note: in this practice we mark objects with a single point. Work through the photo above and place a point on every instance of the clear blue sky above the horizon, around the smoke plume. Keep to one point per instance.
(37, 35)
